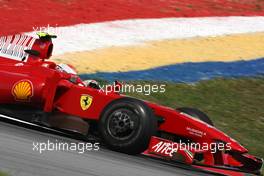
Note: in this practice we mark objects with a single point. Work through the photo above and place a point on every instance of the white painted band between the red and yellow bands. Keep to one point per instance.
(86, 37)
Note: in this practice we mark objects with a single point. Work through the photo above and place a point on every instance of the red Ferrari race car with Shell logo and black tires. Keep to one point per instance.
(42, 92)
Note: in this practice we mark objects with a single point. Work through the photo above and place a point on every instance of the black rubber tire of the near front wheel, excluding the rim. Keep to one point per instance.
(139, 141)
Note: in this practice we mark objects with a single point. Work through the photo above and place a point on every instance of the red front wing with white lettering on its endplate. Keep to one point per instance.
(233, 164)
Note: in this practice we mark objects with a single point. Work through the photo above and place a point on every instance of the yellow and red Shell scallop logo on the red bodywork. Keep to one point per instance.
(22, 90)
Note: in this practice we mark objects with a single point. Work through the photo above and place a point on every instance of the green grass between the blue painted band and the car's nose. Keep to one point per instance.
(236, 106)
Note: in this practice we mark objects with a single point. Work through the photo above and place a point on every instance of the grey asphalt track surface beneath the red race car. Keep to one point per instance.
(18, 158)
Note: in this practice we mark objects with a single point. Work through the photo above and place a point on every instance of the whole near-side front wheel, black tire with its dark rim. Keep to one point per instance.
(126, 125)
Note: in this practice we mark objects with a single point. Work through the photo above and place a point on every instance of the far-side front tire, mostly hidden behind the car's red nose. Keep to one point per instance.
(196, 114)
